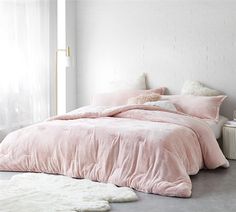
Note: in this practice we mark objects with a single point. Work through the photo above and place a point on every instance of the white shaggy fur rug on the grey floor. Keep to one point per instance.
(34, 192)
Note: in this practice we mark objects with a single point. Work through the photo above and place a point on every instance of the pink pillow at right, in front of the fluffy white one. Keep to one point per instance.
(205, 107)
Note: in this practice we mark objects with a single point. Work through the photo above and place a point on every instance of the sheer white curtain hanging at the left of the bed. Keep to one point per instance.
(24, 62)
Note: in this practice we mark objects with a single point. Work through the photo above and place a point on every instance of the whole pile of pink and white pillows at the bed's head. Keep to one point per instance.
(196, 99)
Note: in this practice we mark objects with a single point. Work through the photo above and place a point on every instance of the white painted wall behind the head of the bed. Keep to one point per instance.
(170, 40)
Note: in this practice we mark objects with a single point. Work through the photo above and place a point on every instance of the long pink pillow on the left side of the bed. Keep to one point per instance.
(121, 97)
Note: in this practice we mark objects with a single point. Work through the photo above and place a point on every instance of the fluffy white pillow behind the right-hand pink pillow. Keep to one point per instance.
(198, 89)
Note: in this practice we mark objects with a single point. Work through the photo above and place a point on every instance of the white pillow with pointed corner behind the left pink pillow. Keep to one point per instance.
(138, 83)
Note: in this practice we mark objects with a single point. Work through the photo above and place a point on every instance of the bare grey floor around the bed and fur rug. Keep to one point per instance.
(213, 190)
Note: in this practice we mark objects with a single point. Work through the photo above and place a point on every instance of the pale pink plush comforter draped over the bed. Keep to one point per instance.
(137, 146)
